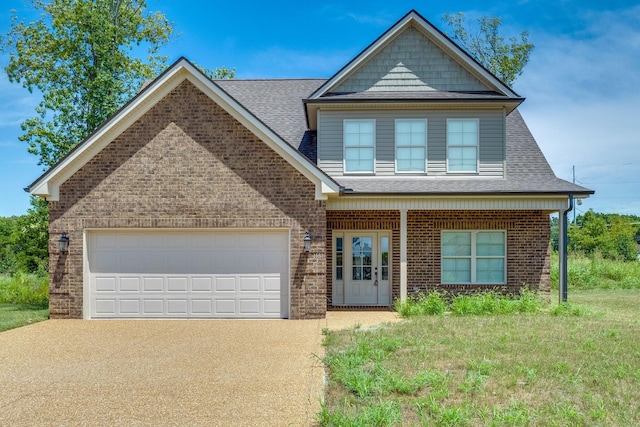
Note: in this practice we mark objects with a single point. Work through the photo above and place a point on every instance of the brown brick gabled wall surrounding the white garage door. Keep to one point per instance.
(188, 164)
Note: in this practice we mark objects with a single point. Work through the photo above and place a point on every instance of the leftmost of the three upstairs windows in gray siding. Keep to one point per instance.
(359, 143)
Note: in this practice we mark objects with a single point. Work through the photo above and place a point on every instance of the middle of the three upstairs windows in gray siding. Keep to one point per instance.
(411, 145)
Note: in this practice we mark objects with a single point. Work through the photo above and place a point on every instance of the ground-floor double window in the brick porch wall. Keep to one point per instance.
(473, 257)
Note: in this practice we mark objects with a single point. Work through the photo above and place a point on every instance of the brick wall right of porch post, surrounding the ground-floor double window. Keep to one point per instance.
(527, 246)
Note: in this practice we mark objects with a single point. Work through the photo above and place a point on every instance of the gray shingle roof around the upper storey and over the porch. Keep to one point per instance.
(279, 105)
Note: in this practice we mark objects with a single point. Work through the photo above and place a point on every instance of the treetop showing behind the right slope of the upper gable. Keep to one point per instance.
(482, 40)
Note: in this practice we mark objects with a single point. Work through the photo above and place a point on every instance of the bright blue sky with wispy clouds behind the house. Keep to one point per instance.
(582, 83)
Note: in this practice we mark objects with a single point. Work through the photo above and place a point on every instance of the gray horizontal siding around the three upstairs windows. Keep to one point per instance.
(491, 152)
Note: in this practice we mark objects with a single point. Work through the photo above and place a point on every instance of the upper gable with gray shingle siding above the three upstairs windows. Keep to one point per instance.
(414, 62)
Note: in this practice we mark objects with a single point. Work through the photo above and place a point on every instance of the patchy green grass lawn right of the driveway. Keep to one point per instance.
(579, 366)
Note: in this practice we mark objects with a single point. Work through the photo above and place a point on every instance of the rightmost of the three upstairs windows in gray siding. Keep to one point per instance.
(462, 145)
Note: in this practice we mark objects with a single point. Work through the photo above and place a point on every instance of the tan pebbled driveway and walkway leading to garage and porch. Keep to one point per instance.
(171, 372)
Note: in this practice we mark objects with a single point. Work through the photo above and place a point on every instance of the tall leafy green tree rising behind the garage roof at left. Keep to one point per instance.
(79, 56)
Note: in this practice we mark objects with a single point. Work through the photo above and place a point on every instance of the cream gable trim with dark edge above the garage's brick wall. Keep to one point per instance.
(48, 185)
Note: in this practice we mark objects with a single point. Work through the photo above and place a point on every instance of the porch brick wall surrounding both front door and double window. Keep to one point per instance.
(527, 245)
